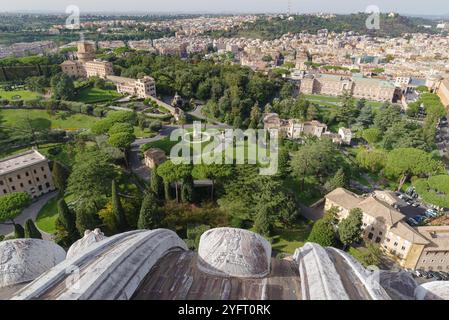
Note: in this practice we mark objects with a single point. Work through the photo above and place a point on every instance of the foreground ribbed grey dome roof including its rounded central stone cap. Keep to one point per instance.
(231, 264)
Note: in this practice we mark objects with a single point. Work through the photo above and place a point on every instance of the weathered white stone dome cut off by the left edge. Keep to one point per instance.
(23, 260)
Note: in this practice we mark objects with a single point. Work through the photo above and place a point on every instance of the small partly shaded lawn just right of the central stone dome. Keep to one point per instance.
(287, 240)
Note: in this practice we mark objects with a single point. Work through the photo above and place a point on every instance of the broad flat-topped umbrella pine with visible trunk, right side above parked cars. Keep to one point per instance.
(405, 162)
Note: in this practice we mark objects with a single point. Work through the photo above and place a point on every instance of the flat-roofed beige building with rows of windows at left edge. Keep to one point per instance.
(26, 172)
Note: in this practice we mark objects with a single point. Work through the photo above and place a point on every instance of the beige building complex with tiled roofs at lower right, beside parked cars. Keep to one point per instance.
(415, 248)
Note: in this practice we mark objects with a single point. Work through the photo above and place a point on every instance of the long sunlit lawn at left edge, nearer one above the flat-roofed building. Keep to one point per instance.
(43, 120)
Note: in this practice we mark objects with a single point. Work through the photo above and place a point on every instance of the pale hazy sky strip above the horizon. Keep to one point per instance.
(337, 6)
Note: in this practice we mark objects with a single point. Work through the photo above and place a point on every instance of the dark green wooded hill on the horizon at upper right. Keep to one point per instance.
(273, 28)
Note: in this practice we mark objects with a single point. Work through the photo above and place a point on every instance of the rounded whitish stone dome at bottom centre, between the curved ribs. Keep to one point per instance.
(234, 253)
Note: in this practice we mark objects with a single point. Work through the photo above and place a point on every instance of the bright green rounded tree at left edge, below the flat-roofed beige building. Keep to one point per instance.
(11, 205)
